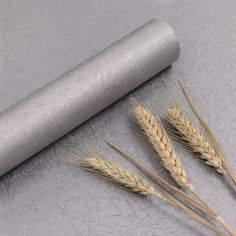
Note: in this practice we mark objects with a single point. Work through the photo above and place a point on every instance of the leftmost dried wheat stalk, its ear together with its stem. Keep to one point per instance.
(133, 182)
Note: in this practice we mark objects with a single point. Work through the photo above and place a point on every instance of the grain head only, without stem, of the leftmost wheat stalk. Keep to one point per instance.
(113, 172)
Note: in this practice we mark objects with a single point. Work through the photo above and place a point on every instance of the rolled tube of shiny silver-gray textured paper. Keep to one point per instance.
(52, 111)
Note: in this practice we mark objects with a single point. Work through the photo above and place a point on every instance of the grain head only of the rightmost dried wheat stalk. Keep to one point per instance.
(195, 140)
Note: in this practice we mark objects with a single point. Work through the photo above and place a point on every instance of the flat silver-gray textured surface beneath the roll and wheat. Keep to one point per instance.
(40, 40)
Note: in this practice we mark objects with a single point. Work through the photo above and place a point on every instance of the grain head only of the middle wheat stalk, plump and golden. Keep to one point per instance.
(159, 140)
